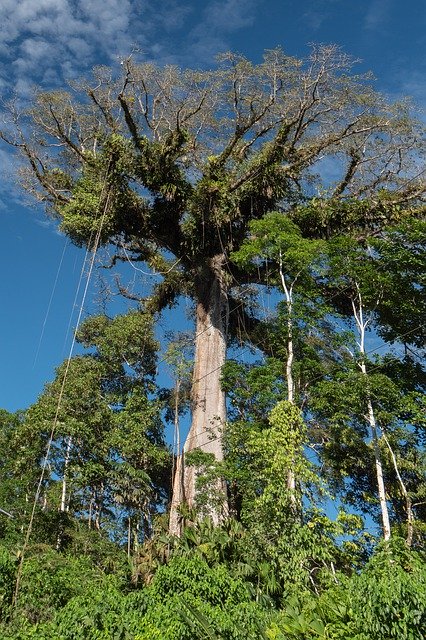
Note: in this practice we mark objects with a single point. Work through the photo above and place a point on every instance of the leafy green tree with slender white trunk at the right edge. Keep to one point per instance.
(383, 393)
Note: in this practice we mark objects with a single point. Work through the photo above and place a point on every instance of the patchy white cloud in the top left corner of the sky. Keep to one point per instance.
(38, 39)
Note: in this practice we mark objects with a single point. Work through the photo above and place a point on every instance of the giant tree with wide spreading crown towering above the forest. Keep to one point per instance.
(169, 166)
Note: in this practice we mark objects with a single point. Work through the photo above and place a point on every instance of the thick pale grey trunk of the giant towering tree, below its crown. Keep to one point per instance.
(208, 399)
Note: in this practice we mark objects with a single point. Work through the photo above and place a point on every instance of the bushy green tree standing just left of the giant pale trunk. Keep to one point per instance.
(94, 440)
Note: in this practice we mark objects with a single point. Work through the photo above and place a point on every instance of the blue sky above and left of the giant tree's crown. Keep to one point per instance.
(48, 42)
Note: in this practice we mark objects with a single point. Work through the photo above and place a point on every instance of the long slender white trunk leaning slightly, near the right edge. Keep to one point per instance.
(381, 489)
